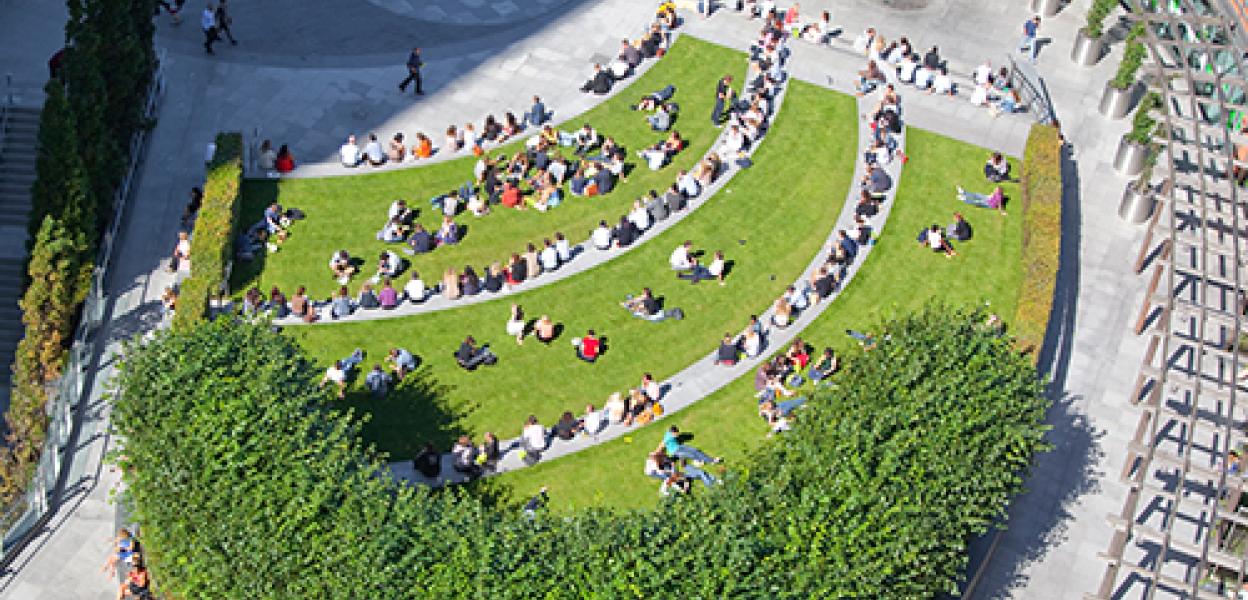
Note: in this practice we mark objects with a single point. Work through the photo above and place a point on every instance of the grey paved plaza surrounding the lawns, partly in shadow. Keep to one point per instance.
(309, 74)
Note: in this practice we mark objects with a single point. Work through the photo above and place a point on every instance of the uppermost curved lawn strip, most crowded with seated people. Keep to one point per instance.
(346, 213)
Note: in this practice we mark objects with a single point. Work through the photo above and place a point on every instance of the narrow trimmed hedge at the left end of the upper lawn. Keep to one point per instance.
(213, 241)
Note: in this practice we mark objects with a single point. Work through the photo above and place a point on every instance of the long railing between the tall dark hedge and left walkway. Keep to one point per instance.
(21, 520)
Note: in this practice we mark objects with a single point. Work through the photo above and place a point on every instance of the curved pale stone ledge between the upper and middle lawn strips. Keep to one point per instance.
(585, 255)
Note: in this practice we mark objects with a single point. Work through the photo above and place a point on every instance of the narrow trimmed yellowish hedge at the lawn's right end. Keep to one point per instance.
(1041, 234)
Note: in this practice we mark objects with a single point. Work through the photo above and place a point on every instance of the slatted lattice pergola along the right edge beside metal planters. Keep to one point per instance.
(1181, 531)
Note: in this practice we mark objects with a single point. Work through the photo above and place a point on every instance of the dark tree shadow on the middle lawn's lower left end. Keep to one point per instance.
(412, 414)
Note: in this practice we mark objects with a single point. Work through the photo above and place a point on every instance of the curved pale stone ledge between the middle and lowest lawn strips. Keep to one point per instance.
(704, 377)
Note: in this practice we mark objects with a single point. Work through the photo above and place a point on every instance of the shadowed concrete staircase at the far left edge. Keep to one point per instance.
(21, 138)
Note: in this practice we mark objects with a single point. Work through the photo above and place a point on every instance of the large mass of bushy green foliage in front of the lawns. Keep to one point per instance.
(249, 487)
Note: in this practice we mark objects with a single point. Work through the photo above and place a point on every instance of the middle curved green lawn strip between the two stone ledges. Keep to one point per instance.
(769, 221)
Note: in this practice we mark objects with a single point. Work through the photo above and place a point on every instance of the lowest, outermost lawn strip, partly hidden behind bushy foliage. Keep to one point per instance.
(899, 276)
